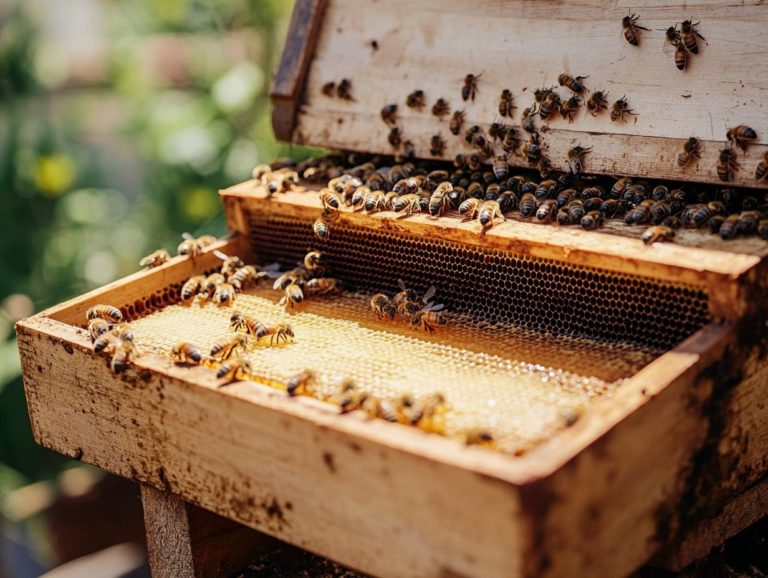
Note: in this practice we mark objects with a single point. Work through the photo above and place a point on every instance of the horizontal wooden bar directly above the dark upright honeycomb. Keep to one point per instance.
(724, 274)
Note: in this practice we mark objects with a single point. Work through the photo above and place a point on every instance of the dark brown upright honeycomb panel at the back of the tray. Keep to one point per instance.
(493, 285)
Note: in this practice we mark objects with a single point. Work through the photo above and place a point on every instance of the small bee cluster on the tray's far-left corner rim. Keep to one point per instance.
(110, 336)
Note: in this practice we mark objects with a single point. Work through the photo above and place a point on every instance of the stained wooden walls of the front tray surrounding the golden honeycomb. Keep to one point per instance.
(591, 500)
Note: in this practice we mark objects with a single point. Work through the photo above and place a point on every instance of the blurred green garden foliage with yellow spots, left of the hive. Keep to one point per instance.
(96, 173)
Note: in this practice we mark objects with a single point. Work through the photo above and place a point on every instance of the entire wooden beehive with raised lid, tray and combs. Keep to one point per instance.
(667, 461)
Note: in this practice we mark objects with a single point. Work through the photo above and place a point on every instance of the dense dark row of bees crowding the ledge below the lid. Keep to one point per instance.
(492, 194)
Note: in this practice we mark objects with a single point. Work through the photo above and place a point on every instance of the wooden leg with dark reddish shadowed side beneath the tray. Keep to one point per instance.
(185, 541)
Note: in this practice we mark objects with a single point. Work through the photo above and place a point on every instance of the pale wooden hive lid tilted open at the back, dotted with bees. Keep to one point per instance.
(389, 49)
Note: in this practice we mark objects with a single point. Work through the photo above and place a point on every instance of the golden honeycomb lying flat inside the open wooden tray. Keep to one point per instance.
(488, 385)
